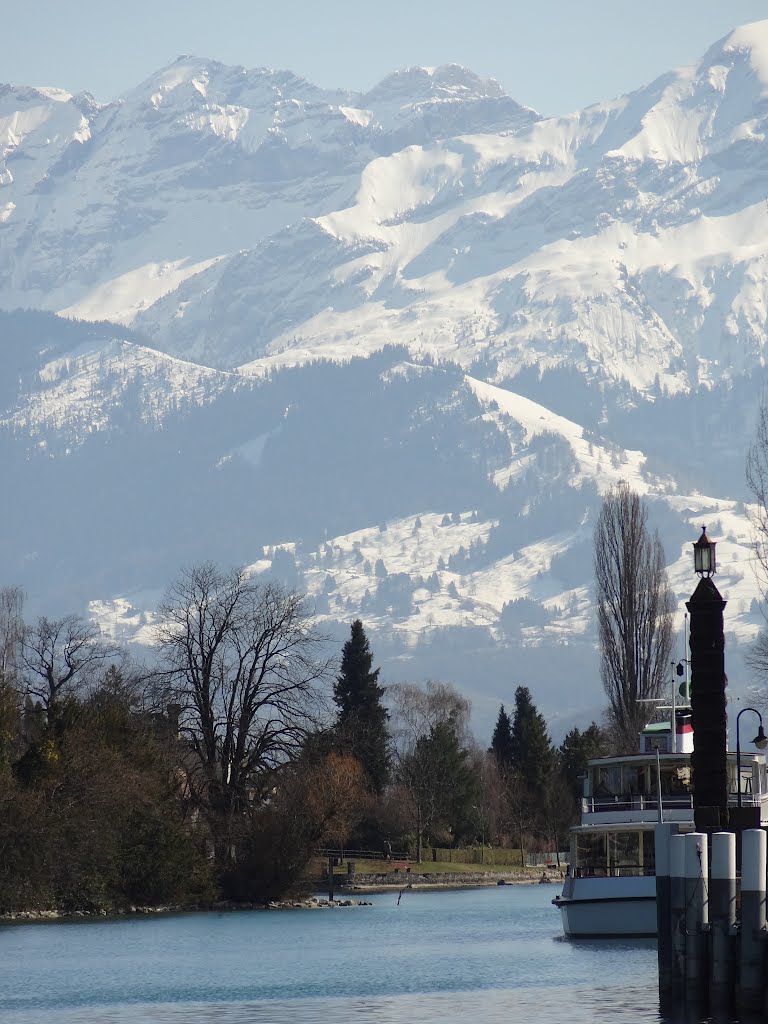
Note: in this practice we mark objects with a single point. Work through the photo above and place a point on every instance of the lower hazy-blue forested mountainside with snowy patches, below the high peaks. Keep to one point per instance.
(454, 516)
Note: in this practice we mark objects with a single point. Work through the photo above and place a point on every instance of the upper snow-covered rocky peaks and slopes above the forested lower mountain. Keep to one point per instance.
(242, 217)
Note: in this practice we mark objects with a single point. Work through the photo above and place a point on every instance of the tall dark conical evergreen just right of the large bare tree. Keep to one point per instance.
(362, 723)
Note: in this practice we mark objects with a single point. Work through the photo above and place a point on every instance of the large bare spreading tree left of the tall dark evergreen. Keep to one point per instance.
(244, 664)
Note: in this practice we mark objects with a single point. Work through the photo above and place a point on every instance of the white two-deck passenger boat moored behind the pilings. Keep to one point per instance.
(611, 886)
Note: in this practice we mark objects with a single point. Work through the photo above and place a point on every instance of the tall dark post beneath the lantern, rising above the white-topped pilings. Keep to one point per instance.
(708, 708)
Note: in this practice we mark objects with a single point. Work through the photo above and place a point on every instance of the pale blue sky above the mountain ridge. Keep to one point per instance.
(557, 56)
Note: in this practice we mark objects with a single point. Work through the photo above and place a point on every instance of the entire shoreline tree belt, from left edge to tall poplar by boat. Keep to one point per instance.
(217, 772)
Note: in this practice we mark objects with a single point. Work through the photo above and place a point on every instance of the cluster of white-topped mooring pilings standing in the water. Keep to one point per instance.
(713, 937)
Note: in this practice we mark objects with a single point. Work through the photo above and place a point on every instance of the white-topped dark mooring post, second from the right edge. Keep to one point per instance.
(723, 919)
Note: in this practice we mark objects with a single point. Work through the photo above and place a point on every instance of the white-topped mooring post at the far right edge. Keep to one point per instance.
(752, 932)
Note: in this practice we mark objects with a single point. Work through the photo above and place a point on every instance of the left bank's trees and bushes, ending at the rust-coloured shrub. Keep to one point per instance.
(198, 777)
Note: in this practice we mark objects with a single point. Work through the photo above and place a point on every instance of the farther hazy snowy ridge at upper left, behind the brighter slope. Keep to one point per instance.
(106, 209)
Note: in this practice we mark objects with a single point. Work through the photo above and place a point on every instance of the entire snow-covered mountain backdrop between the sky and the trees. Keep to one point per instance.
(392, 348)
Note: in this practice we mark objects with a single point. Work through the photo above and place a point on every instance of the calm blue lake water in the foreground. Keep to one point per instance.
(493, 955)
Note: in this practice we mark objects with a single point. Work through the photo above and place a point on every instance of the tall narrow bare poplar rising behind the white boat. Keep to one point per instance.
(634, 613)
